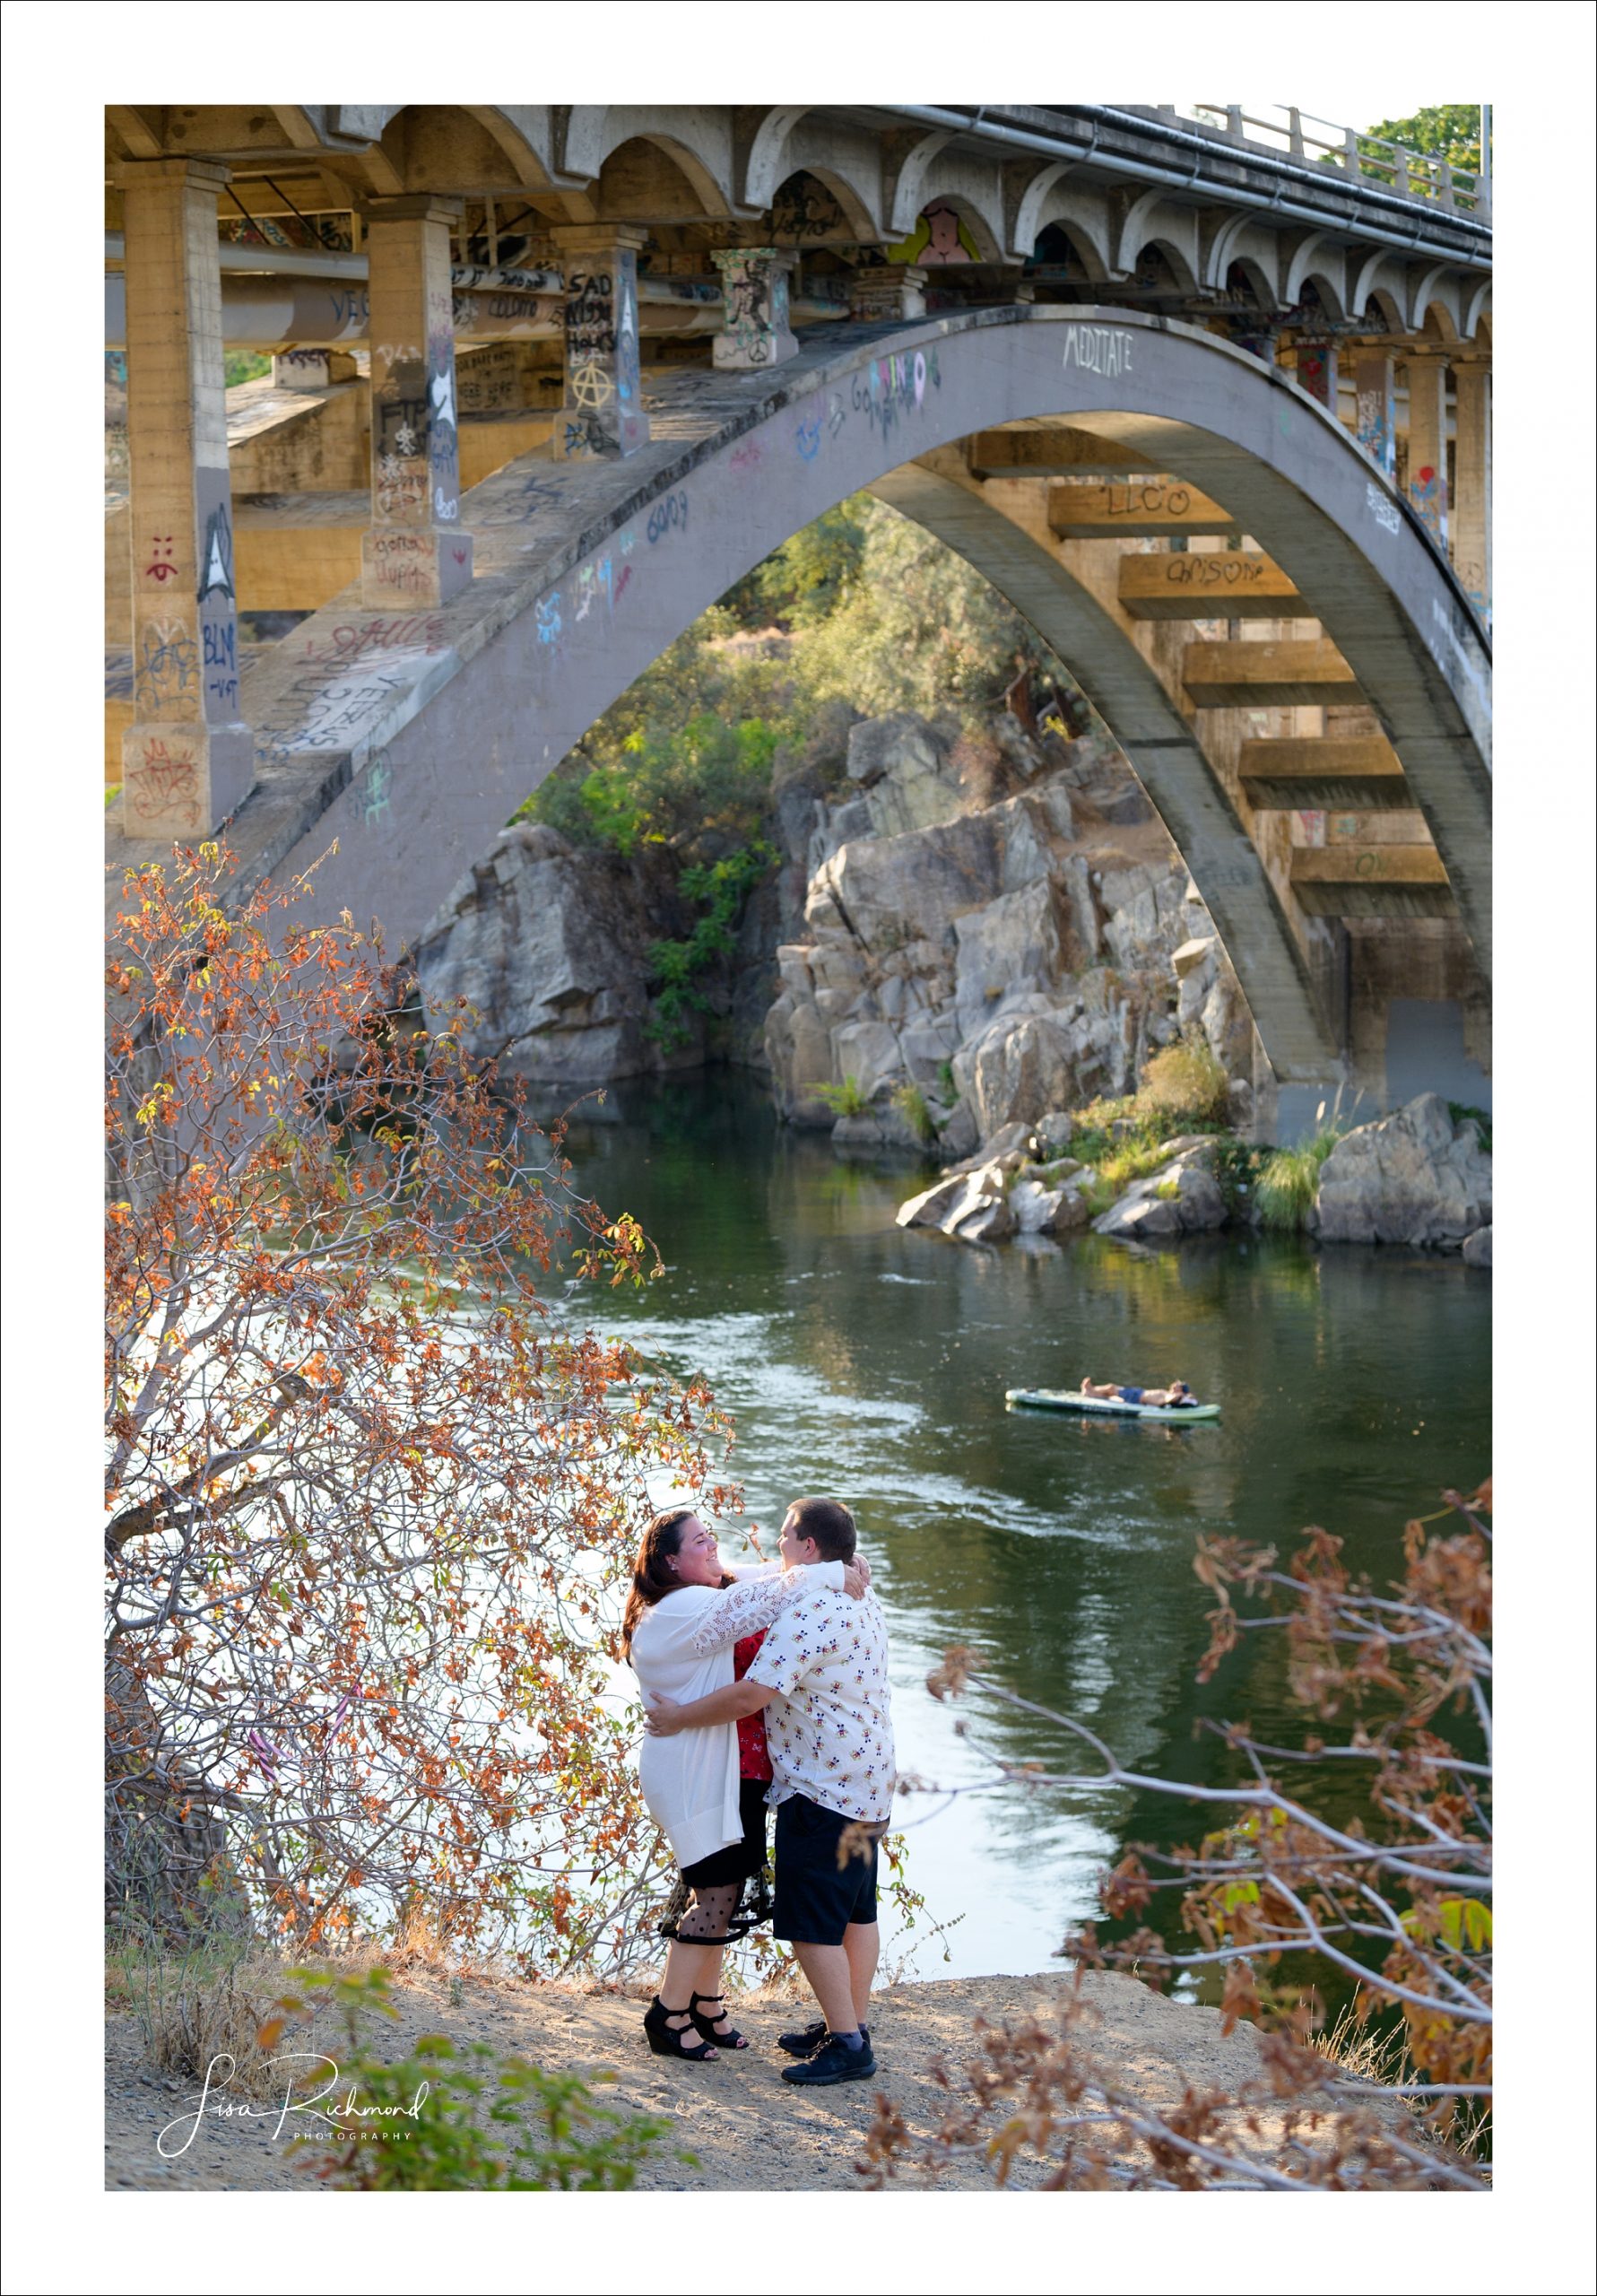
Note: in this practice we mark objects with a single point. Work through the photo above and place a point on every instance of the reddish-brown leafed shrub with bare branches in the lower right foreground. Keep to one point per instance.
(1399, 1905)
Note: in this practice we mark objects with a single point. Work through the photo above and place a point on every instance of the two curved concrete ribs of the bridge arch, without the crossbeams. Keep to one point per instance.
(412, 745)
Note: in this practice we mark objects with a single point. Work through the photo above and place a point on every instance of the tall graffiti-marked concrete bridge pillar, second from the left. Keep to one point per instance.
(414, 554)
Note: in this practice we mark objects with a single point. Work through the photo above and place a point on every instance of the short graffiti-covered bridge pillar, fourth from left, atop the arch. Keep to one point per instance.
(602, 410)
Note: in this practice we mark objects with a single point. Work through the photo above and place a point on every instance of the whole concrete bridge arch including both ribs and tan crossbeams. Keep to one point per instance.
(1259, 614)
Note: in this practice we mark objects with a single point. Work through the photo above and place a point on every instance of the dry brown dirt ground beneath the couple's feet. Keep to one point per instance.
(751, 2132)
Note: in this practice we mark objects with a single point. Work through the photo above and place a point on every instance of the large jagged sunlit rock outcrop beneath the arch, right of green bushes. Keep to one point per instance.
(999, 961)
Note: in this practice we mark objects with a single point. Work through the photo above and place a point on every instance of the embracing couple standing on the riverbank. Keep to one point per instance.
(765, 1684)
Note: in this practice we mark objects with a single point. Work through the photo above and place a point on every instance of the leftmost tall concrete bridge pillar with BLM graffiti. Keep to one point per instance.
(187, 759)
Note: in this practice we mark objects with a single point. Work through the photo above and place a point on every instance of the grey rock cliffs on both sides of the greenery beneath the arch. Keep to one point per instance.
(992, 924)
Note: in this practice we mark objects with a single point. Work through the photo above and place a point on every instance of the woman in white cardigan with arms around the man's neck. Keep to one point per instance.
(683, 1618)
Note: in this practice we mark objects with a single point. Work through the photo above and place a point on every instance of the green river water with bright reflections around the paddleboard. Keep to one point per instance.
(871, 1363)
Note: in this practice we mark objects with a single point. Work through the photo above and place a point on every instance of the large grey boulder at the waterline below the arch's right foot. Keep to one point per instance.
(1412, 1179)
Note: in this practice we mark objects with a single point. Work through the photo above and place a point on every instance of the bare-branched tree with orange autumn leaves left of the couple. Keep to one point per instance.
(364, 1484)
